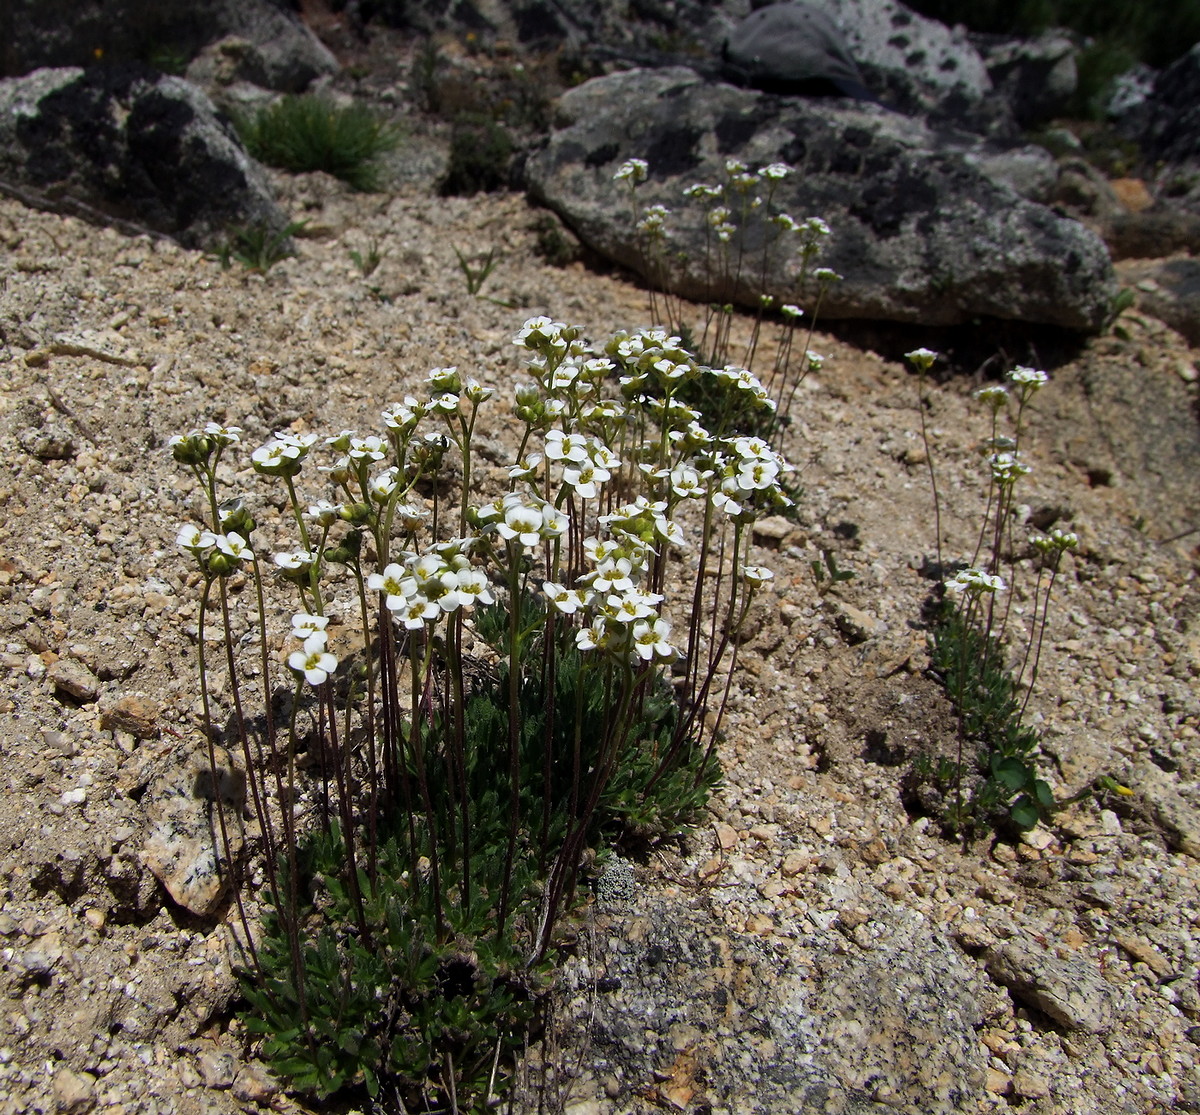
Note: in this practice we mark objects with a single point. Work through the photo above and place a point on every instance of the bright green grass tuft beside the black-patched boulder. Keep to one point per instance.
(308, 133)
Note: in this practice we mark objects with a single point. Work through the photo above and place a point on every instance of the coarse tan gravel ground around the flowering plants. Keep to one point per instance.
(115, 997)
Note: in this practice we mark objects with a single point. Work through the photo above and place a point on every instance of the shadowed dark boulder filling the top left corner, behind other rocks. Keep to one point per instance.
(165, 33)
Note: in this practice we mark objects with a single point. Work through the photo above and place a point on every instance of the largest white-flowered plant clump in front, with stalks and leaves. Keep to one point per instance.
(507, 705)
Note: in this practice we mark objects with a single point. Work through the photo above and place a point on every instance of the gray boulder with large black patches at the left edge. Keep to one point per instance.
(131, 146)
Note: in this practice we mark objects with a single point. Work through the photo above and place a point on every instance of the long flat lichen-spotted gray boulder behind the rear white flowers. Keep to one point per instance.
(919, 232)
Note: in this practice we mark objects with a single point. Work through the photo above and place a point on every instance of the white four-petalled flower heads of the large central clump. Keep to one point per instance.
(596, 423)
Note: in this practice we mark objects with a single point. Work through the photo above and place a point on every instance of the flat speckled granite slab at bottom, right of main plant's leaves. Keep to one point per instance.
(686, 1014)
